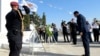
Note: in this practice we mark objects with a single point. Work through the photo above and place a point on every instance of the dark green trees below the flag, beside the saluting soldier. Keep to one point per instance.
(37, 20)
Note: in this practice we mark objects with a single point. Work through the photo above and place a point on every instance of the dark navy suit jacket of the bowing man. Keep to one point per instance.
(81, 21)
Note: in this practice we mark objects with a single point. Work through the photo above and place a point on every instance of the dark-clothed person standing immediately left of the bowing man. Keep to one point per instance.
(73, 31)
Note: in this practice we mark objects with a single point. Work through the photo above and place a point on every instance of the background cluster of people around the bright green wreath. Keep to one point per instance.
(48, 33)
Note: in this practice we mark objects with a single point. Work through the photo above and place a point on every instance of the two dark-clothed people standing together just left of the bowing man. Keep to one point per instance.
(73, 31)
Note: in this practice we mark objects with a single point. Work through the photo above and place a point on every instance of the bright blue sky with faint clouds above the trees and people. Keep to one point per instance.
(58, 10)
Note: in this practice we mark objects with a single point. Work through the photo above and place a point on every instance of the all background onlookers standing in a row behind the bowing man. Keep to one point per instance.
(71, 28)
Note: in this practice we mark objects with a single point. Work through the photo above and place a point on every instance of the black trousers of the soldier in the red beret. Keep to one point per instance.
(15, 42)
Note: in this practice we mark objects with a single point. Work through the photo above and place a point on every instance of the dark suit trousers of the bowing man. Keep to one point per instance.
(85, 40)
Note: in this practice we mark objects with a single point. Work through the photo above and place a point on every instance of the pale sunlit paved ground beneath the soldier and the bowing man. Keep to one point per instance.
(54, 49)
